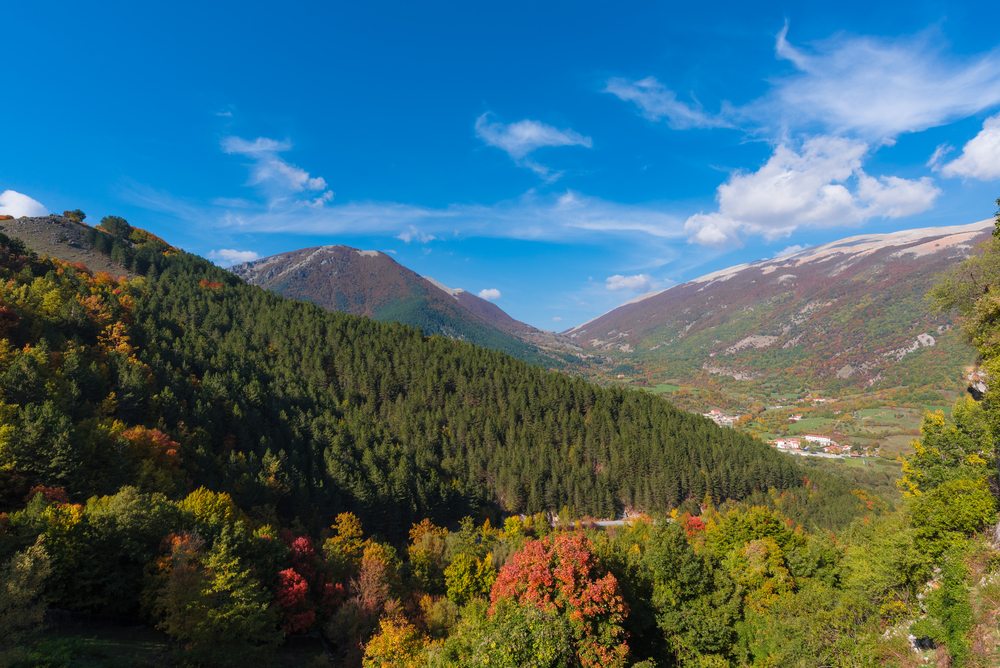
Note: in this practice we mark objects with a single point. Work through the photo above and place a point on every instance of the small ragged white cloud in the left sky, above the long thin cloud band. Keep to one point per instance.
(282, 183)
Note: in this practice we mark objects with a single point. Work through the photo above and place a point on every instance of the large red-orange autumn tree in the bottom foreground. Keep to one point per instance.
(561, 573)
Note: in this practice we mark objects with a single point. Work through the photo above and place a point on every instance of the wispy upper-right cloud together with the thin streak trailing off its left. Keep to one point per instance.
(870, 88)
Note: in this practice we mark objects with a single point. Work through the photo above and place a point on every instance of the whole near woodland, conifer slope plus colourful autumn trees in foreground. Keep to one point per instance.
(237, 470)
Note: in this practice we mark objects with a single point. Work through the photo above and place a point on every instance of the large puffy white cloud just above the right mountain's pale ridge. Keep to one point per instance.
(820, 185)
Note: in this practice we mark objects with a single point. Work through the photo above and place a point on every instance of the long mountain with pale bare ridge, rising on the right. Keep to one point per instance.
(850, 315)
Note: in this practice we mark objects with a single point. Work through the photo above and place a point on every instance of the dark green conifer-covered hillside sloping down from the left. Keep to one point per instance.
(185, 376)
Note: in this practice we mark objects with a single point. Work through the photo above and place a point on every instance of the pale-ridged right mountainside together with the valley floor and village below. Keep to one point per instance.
(841, 334)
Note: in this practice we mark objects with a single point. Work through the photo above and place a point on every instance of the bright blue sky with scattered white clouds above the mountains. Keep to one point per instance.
(563, 156)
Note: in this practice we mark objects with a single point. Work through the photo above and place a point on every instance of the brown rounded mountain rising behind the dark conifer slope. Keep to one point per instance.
(371, 283)
